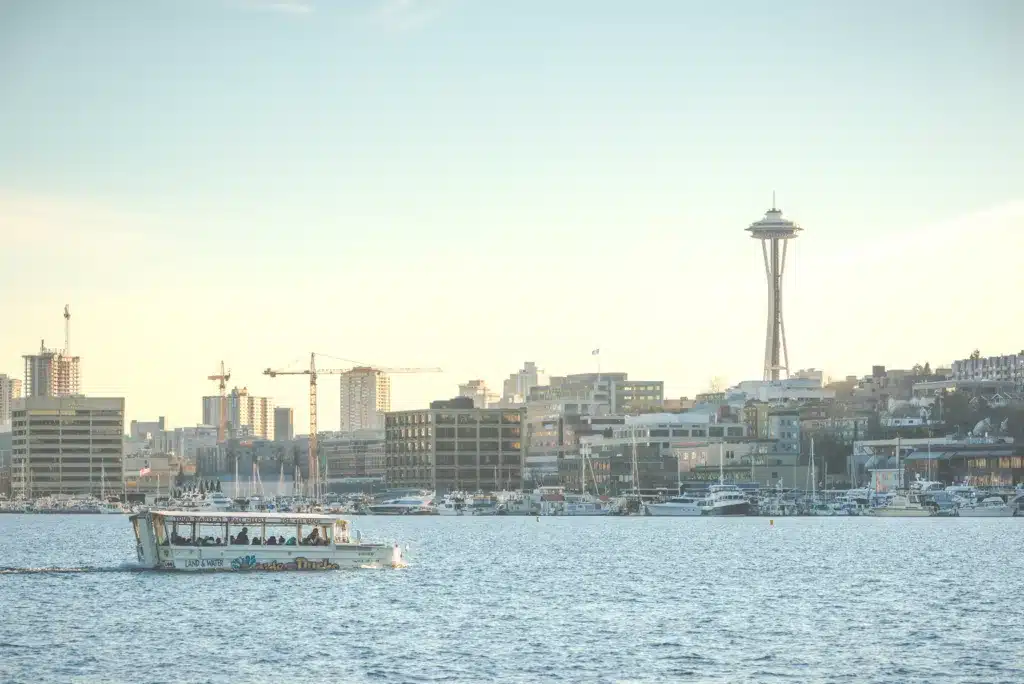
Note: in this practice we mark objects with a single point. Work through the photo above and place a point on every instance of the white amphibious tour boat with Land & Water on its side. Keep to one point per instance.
(195, 541)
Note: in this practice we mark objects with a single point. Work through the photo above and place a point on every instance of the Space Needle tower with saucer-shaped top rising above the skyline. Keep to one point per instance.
(775, 234)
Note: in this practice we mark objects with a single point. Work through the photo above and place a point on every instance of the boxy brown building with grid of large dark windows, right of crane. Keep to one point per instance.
(446, 449)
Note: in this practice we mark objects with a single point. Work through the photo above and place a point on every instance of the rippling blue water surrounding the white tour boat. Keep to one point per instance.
(528, 601)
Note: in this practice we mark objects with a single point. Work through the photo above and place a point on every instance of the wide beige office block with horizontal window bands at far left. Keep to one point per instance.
(68, 446)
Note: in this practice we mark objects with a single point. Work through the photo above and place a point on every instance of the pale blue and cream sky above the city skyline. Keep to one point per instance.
(474, 184)
